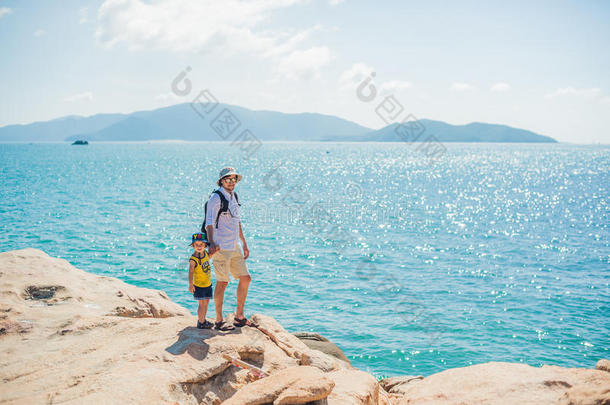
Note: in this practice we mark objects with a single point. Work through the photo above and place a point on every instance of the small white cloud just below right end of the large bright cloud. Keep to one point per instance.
(305, 64)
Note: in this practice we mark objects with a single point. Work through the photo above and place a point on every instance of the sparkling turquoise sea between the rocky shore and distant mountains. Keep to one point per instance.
(495, 252)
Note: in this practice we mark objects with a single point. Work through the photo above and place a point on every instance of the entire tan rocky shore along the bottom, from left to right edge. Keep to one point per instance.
(70, 337)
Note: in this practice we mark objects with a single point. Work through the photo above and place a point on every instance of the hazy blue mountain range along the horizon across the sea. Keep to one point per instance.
(226, 122)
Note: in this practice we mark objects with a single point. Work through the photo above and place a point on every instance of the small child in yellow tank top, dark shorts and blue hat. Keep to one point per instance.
(200, 280)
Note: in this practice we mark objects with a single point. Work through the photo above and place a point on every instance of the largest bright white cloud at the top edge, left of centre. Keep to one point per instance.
(184, 25)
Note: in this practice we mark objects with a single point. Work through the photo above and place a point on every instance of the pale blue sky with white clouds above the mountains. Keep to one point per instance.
(538, 65)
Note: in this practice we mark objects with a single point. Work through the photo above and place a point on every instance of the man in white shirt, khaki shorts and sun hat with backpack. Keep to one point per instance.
(223, 227)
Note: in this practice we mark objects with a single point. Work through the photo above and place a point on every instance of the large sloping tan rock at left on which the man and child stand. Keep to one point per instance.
(67, 336)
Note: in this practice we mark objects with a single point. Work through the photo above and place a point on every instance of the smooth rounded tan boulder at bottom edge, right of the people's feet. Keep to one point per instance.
(295, 385)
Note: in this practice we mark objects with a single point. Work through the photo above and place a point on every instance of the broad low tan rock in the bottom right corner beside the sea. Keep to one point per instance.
(510, 383)
